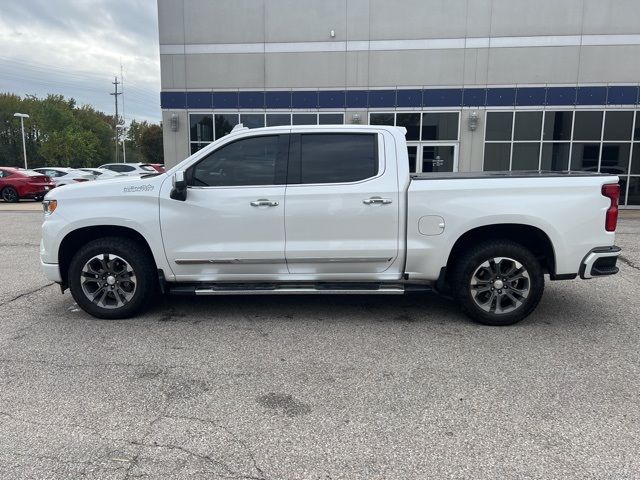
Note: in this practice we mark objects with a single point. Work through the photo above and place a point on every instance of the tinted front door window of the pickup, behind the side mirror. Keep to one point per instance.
(250, 161)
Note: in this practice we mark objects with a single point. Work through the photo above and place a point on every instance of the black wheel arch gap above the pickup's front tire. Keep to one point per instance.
(74, 240)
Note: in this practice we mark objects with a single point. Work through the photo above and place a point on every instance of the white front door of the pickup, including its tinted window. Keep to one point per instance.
(231, 225)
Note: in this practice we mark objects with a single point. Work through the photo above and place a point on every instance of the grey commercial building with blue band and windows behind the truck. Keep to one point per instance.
(479, 84)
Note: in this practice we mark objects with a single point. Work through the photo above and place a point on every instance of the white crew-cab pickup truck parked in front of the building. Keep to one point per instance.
(327, 210)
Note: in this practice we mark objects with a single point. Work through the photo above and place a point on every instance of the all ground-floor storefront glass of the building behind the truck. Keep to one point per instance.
(606, 141)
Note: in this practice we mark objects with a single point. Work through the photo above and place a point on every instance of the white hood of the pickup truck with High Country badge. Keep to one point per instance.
(109, 187)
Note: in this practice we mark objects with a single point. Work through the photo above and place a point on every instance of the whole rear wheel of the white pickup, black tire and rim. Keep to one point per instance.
(478, 266)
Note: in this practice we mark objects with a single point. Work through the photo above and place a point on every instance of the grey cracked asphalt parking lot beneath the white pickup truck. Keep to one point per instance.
(317, 387)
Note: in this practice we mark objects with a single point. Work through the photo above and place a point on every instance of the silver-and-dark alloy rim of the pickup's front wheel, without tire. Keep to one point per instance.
(108, 281)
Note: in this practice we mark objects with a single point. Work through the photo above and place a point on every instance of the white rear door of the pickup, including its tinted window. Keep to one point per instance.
(342, 215)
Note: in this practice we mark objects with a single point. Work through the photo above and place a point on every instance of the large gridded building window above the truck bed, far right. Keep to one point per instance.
(582, 140)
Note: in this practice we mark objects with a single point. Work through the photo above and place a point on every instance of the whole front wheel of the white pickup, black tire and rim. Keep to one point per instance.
(120, 251)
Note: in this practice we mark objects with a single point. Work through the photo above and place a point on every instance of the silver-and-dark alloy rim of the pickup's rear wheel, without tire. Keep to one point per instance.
(500, 285)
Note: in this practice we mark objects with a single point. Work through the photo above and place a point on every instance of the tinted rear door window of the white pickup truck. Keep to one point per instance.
(337, 157)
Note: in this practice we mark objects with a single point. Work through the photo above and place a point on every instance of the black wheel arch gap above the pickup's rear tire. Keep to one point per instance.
(532, 238)
